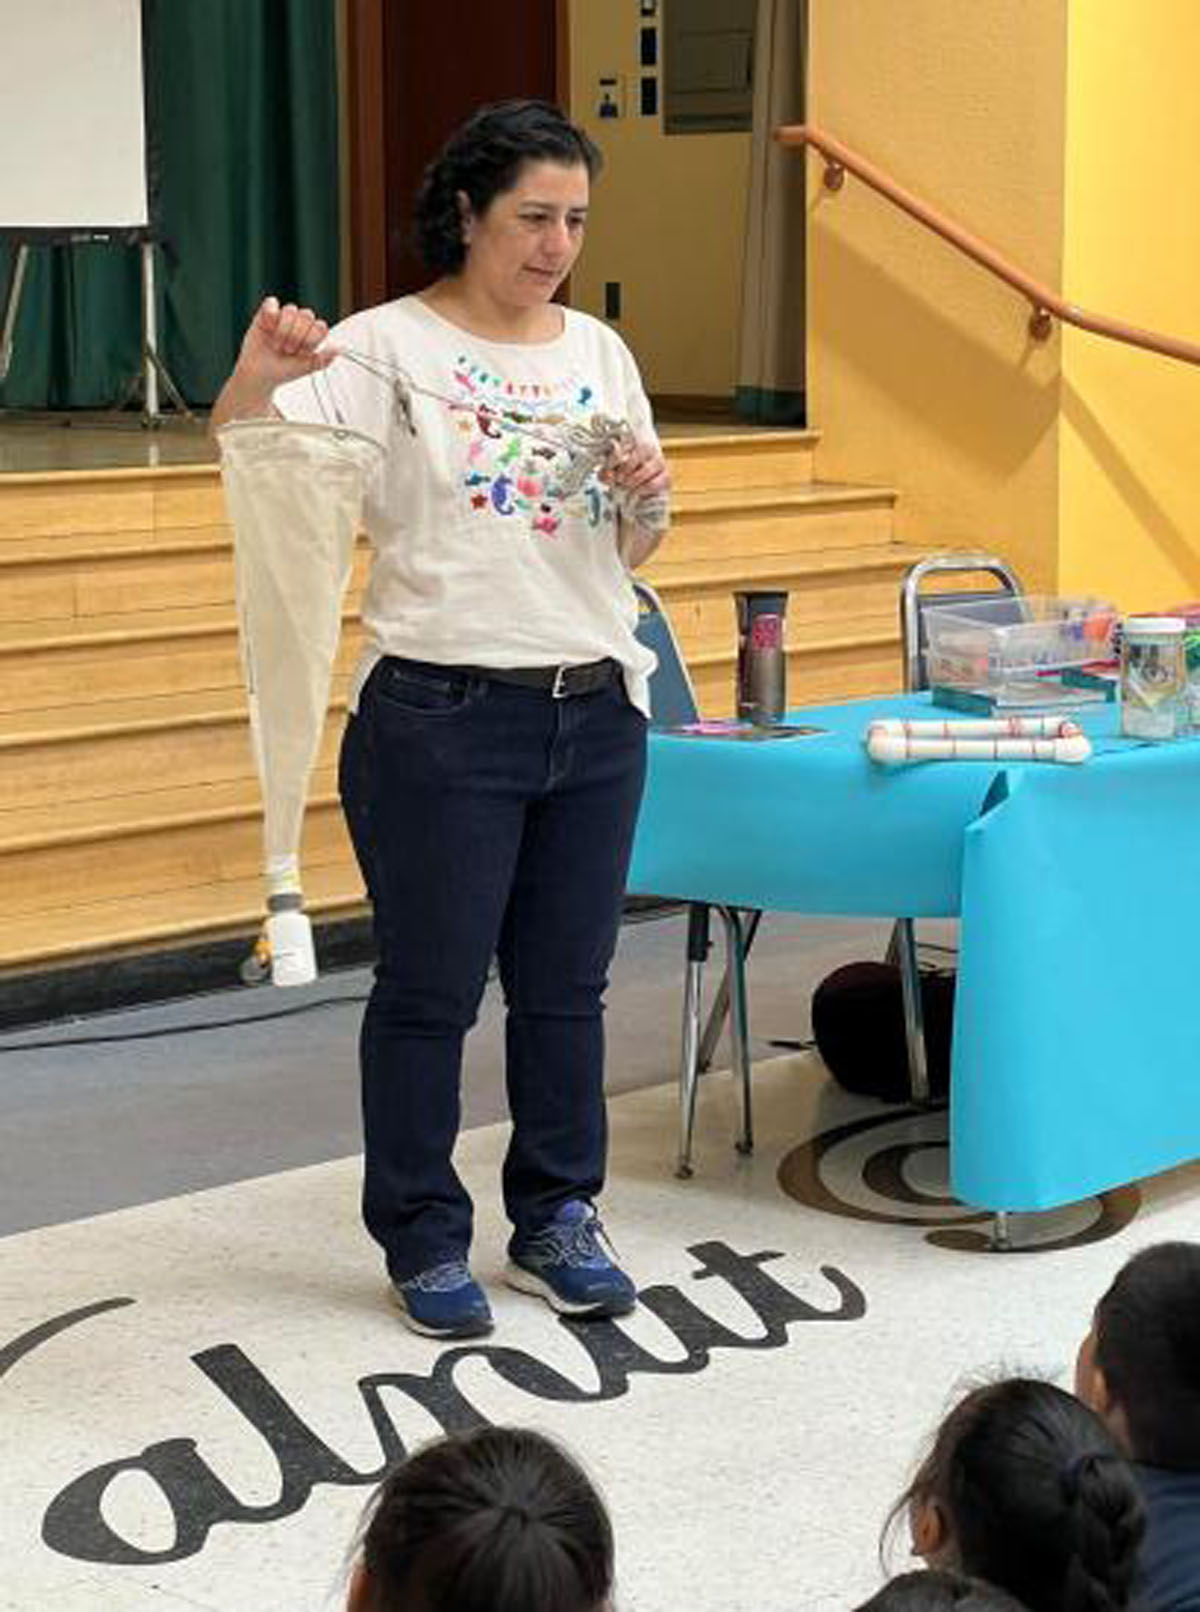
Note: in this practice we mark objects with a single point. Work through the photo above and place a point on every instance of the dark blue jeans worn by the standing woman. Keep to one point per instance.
(488, 820)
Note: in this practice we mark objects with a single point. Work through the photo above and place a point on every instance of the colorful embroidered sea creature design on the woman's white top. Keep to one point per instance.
(507, 472)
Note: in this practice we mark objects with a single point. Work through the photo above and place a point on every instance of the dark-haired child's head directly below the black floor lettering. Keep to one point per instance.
(494, 1521)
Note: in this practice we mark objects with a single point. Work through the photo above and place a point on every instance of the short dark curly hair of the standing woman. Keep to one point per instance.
(485, 159)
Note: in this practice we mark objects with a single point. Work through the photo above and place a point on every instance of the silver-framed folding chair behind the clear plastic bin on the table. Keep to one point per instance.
(914, 631)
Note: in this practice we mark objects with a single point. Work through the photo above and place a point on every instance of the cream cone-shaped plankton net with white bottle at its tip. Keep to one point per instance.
(296, 502)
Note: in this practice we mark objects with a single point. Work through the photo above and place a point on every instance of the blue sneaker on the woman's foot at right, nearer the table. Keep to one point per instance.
(565, 1263)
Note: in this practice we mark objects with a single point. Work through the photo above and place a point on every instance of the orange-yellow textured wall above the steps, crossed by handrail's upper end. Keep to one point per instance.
(920, 368)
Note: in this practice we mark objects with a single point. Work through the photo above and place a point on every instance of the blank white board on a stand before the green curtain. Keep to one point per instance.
(72, 118)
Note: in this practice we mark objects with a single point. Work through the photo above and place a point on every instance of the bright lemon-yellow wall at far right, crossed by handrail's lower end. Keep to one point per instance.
(1131, 422)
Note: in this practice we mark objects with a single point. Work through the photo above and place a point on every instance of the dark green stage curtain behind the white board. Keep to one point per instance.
(243, 107)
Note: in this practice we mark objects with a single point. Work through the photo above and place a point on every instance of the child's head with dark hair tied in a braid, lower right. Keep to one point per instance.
(1027, 1489)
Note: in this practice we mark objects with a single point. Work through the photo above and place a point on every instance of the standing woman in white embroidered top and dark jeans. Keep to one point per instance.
(493, 767)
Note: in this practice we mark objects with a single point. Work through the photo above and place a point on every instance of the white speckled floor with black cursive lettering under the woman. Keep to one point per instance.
(193, 1392)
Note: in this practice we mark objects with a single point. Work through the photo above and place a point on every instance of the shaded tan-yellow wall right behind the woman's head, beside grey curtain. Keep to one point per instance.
(667, 218)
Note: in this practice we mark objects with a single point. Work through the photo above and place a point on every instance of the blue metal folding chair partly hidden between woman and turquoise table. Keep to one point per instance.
(672, 705)
